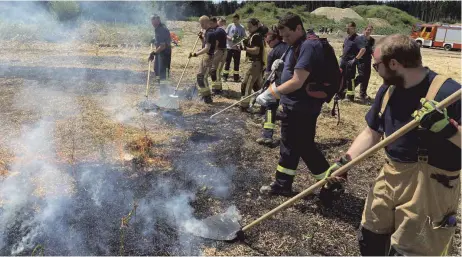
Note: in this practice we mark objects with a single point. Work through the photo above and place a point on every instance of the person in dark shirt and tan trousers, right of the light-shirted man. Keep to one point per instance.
(254, 48)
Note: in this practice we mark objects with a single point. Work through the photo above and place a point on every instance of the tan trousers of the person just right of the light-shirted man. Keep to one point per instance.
(252, 80)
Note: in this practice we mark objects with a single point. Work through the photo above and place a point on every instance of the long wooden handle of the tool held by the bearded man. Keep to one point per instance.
(408, 127)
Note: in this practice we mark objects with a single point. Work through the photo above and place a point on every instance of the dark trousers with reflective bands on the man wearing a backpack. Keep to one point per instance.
(298, 129)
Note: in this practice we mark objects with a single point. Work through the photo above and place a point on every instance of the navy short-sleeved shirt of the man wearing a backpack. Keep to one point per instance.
(310, 58)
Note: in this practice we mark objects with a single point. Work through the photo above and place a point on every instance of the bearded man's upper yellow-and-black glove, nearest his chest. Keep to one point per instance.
(434, 119)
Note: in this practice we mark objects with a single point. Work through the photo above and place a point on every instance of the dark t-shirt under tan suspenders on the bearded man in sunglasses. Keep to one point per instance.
(402, 103)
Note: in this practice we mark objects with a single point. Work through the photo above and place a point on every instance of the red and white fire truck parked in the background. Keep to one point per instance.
(433, 35)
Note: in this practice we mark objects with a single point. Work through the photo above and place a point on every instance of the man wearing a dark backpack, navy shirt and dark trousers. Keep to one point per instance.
(300, 111)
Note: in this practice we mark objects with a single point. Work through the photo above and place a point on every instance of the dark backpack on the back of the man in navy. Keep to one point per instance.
(332, 83)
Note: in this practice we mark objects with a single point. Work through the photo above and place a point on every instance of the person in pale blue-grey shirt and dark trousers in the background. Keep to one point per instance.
(236, 33)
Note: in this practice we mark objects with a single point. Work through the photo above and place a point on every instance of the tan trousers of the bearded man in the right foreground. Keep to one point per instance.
(410, 207)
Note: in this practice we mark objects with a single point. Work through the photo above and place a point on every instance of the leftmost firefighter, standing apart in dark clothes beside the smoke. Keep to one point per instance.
(163, 51)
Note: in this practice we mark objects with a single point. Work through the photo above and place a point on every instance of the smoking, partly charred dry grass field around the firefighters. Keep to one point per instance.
(78, 154)
